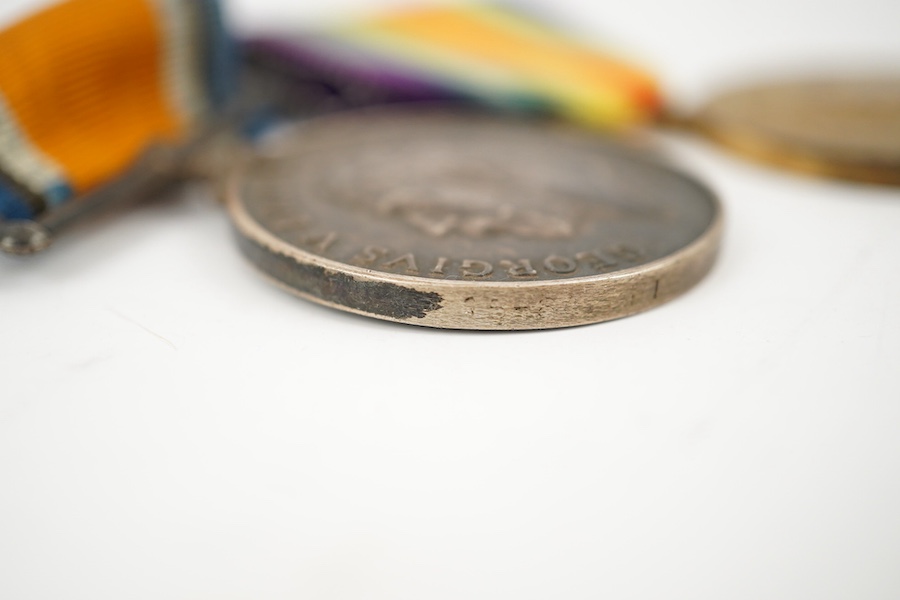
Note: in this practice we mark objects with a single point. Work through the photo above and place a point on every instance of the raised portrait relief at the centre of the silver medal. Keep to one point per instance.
(441, 192)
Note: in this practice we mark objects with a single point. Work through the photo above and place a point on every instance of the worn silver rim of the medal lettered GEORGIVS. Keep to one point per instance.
(687, 266)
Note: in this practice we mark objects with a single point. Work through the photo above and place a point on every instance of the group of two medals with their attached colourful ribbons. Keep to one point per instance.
(455, 167)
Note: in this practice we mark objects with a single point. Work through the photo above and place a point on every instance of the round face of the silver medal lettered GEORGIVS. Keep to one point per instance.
(463, 198)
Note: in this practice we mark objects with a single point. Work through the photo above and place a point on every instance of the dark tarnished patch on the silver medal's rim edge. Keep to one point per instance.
(377, 297)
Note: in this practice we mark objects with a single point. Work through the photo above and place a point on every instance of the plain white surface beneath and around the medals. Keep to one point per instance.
(172, 426)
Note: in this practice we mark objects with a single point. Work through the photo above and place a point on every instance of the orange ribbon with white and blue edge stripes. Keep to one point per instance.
(87, 85)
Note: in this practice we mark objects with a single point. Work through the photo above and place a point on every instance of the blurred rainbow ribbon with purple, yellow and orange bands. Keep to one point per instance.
(485, 53)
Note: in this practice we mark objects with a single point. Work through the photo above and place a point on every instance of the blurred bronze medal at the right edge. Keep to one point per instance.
(842, 128)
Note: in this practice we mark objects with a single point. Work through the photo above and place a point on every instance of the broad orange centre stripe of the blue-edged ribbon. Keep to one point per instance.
(97, 64)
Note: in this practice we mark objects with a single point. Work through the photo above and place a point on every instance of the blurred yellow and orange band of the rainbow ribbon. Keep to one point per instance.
(495, 54)
